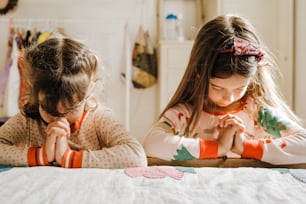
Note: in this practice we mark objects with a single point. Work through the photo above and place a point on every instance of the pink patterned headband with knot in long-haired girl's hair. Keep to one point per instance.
(244, 47)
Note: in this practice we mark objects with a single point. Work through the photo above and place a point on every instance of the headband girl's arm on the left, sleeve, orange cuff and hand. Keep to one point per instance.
(166, 139)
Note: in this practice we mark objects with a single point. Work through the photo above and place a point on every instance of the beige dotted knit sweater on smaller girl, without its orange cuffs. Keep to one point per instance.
(104, 141)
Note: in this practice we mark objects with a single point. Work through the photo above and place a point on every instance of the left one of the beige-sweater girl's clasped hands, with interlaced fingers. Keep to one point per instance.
(56, 130)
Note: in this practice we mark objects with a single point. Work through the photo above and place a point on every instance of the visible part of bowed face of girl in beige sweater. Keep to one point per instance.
(72, 115)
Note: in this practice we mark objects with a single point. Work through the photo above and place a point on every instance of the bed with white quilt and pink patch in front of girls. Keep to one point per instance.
(161, 182)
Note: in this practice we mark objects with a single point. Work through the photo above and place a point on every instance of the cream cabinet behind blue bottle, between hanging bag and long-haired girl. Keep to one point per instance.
(174, 54)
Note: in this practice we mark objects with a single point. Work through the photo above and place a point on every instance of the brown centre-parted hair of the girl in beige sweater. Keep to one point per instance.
(62, 69)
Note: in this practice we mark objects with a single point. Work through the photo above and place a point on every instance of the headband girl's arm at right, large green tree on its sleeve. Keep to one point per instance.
(287, 147)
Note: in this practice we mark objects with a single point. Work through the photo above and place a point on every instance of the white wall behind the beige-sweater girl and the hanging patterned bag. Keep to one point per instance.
(101, 25)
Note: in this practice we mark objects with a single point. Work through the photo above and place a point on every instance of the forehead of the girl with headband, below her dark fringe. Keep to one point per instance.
(235, 81)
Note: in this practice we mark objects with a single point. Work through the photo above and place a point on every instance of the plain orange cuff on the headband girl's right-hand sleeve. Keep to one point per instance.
(252, 149)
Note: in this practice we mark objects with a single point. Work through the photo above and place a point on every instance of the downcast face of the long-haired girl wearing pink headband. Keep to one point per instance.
(225, 92)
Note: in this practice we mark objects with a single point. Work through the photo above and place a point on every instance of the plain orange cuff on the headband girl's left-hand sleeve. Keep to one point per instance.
(208, 149)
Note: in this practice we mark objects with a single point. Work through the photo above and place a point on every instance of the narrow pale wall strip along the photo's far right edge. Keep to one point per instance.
(300, 54)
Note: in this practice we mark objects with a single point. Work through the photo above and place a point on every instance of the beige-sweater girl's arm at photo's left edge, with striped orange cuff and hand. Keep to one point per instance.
(22, 143)
